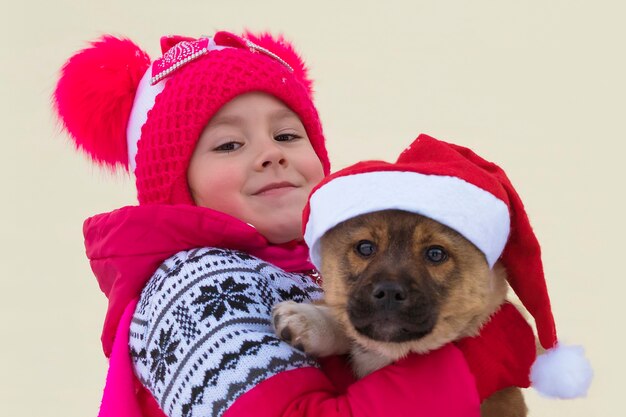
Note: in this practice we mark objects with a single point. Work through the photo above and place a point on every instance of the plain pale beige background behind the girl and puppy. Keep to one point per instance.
(537, 86)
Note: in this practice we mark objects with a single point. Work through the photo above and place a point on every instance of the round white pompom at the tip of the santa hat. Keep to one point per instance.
(562, 372)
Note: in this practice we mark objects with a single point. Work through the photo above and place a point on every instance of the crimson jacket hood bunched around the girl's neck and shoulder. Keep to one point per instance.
(126, 246)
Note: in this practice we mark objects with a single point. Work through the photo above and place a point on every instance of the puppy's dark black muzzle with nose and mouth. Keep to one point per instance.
(391, 311)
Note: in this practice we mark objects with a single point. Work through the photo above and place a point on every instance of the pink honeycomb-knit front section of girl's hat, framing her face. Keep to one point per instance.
(192, 95)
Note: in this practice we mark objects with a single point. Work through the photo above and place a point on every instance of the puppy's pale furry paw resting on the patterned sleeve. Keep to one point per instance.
(307, 327)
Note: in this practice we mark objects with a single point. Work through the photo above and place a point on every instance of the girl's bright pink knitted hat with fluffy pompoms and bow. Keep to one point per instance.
(122, 109)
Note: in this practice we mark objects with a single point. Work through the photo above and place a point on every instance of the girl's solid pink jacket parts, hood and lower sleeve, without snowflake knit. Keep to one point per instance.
(126, 246)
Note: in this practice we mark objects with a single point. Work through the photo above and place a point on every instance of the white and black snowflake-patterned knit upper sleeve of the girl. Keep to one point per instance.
(201, 335)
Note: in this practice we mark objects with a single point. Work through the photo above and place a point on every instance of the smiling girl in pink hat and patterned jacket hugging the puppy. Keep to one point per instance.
(225, 143)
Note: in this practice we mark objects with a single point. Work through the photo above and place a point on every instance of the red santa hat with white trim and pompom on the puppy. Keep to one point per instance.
(454, 186)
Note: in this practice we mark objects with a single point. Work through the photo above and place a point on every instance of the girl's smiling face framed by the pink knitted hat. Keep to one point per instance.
(254, 161)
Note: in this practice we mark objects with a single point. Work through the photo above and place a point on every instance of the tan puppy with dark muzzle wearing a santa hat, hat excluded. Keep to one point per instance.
(397, 282)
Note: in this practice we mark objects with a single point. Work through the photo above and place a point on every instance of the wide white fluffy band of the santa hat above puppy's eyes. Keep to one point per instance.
(473, 212)
